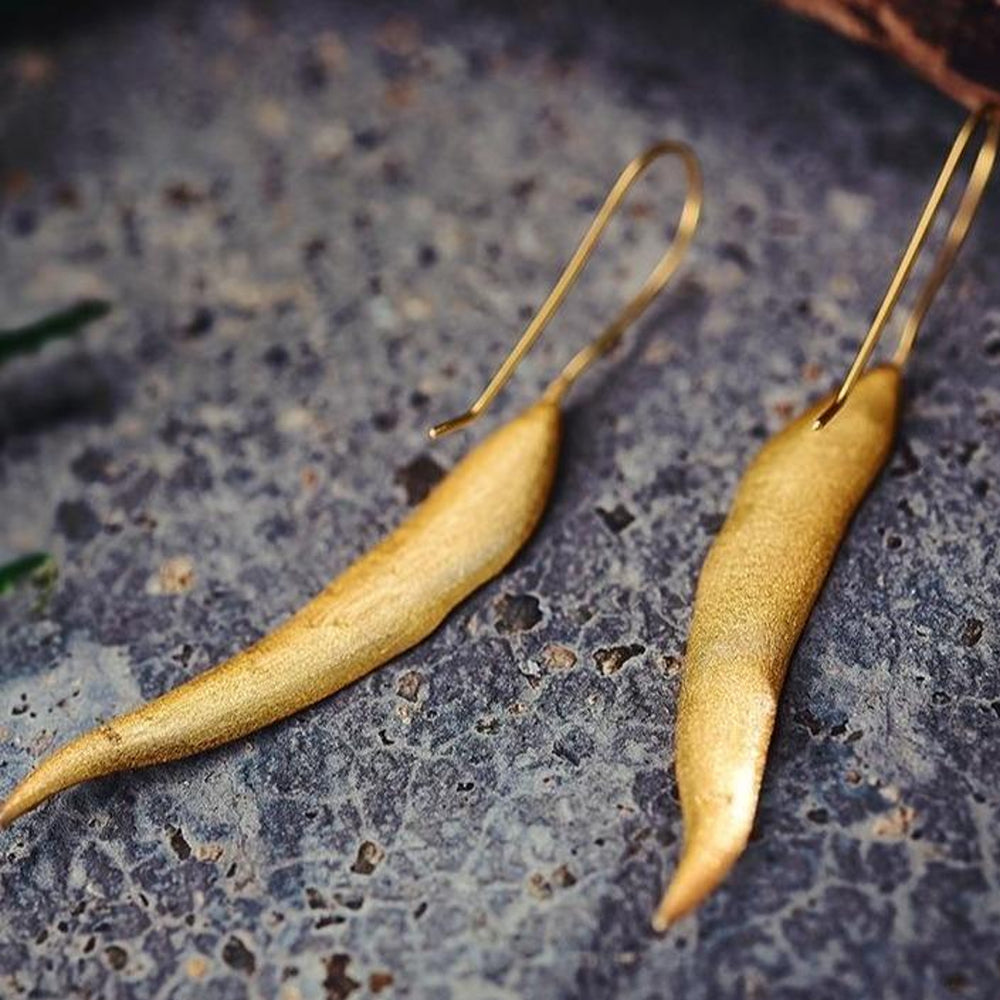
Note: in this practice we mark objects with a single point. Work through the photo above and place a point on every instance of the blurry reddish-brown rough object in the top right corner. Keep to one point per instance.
(953, 43)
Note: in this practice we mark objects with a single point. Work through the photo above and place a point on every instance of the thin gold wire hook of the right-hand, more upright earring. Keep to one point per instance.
(957, 231)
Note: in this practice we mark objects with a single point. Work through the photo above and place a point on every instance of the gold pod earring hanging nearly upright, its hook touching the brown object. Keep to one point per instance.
(767, 566)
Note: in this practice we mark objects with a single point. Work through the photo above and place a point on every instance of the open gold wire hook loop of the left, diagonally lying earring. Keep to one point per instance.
(633, 309)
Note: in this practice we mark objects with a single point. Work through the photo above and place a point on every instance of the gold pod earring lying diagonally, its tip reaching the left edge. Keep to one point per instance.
(394, 596)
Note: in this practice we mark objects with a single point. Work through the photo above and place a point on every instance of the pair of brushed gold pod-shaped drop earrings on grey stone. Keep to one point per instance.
(759, 582)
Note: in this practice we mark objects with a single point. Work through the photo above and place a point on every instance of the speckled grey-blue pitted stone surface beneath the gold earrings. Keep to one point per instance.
(321, 226)
